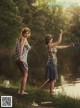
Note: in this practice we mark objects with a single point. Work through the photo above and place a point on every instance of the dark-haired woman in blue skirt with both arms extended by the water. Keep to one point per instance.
(51, 66)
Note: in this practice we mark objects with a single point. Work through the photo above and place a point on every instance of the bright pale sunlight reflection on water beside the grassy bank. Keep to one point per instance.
(72, 90)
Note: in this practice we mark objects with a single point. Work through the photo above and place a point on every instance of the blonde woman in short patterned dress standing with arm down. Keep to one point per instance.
(22, 49)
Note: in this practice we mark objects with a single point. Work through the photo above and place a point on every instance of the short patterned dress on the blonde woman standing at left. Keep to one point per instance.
(23, 62)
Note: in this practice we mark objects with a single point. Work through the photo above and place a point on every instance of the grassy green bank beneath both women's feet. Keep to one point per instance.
(25, 101)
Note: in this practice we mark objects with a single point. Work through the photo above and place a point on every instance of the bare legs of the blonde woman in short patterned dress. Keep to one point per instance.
(23, 82)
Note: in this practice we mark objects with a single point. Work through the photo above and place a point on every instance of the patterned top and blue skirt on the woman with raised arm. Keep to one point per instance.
(51, 66)
